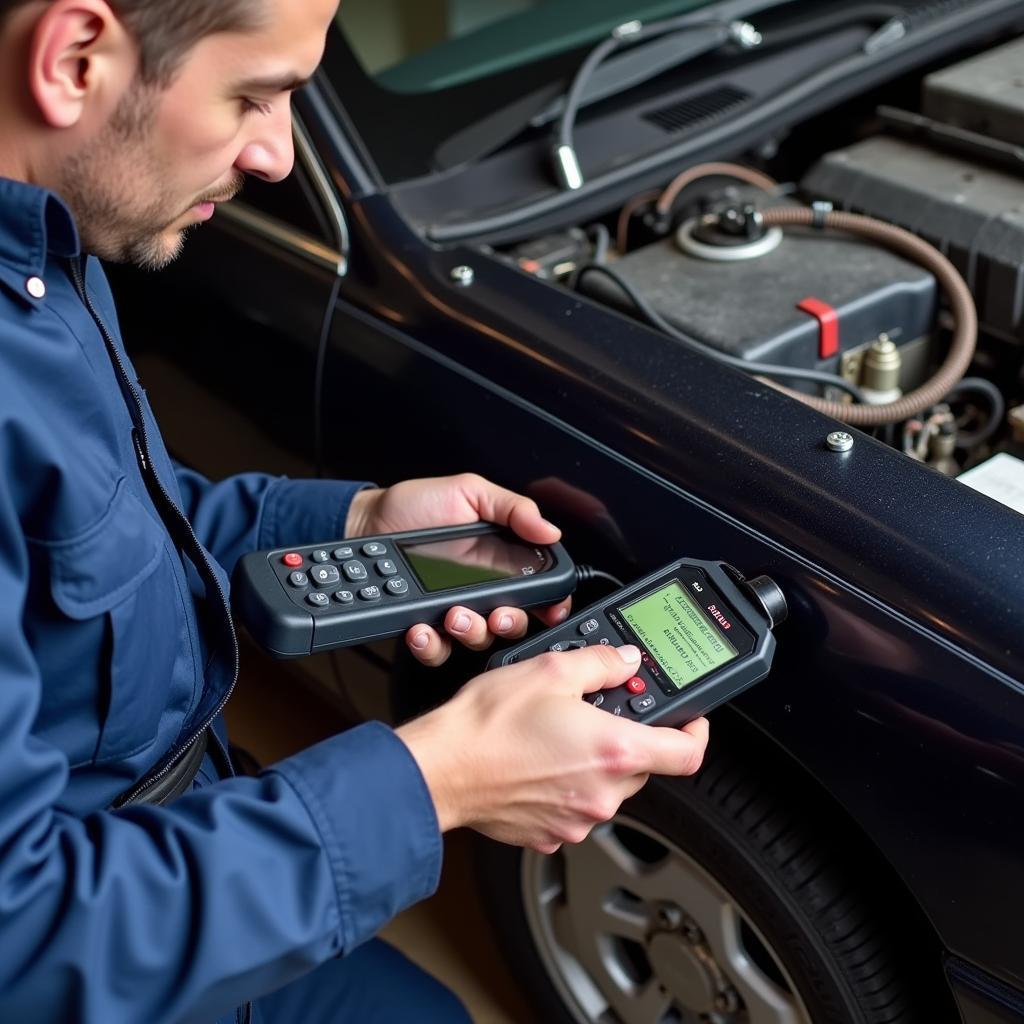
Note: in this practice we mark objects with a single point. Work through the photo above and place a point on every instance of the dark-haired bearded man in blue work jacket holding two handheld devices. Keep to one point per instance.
(197, 895)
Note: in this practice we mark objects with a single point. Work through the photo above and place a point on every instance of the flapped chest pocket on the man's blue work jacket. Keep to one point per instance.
(118, 589)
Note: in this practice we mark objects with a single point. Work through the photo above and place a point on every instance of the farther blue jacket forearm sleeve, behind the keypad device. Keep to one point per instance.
(252, 511)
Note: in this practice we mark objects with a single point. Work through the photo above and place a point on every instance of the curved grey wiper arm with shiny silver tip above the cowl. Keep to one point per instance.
(702, 35)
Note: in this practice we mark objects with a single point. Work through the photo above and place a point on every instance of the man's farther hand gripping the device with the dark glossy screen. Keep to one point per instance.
(456, 501)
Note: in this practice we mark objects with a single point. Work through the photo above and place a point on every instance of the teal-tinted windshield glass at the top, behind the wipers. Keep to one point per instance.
(417, 47)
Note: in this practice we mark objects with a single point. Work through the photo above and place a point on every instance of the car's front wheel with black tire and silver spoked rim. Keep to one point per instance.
(735, 898)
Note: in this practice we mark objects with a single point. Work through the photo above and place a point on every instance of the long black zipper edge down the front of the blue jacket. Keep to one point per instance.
(142, 443)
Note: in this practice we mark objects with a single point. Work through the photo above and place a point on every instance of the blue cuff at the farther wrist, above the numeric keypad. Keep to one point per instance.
(303, 513)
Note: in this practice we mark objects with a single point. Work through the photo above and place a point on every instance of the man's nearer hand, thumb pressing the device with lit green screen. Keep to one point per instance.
(520, 757)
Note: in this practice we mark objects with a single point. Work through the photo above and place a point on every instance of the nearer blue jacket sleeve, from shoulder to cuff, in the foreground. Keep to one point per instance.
(182, 913)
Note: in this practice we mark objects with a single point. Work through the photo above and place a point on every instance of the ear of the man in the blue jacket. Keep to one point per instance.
(80, 54)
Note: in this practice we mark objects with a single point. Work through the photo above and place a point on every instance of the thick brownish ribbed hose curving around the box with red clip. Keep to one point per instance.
(959, 295)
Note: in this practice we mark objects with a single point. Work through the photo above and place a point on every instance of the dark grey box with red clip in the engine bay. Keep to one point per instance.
(806, 303)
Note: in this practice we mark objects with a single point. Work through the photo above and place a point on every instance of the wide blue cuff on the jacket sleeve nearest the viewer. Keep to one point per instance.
(371, 805)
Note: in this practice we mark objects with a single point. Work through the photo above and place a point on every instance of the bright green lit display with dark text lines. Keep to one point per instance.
(678, 634)
